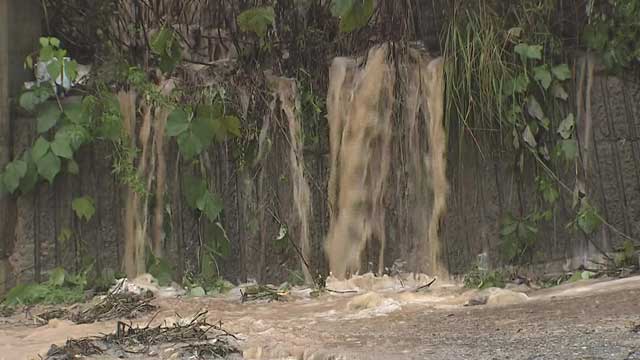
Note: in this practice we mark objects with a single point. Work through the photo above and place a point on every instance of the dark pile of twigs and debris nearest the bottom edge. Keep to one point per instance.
(194, 338)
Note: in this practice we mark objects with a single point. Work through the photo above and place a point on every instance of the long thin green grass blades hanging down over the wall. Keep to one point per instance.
(477, 66)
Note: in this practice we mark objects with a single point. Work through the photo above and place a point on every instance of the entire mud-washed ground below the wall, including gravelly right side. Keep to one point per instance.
(384, 320)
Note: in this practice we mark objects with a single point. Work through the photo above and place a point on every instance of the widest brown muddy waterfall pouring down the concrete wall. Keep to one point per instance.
(365, 97)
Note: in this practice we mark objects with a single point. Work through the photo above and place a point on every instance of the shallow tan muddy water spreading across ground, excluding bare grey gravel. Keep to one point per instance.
(359, 319)
